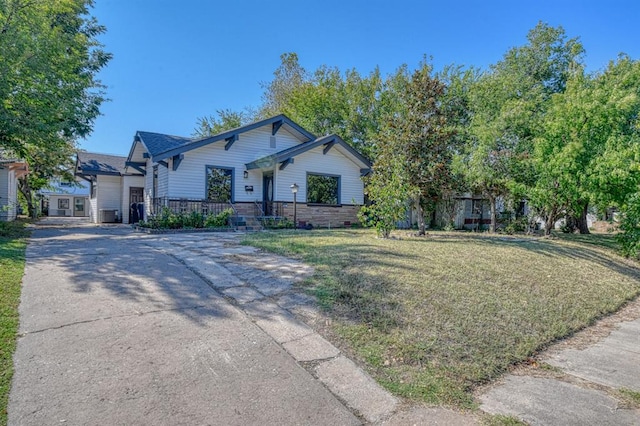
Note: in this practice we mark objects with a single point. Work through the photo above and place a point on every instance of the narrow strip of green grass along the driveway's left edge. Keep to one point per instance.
(12, 248)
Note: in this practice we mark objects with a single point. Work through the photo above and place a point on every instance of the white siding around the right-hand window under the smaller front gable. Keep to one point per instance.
(314, 161)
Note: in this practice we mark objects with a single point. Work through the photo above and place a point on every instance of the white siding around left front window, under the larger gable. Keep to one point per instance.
(189, 181)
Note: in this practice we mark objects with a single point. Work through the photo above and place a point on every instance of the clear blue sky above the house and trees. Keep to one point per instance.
(175, 61)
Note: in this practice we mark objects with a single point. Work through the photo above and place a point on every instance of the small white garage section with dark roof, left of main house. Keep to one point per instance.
(112, 188)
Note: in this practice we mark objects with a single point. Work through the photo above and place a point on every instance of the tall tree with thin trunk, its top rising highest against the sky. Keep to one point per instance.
(508, 103)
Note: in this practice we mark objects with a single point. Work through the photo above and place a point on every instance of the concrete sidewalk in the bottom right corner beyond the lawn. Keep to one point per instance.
(583, 383)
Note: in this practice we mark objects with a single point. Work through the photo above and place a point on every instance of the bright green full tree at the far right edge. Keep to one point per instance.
(588, 151)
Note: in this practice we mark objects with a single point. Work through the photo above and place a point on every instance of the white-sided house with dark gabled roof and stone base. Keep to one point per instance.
(253, 168)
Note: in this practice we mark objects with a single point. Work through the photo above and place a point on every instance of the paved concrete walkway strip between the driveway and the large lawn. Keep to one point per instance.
(264, 288)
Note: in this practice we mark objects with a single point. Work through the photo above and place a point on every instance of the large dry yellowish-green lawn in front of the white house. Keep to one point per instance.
(432, 318)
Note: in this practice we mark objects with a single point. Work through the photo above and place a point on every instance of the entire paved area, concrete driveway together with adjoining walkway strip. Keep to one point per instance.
(123, 328)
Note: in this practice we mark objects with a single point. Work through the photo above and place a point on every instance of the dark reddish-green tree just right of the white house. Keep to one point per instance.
(417, 145)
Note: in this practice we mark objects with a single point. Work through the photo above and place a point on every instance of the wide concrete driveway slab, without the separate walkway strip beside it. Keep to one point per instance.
(113, 332)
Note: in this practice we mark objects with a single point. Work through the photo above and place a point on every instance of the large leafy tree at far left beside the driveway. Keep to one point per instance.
(49, 94)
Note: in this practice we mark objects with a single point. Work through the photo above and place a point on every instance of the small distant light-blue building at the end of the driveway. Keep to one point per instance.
(63, 198)
